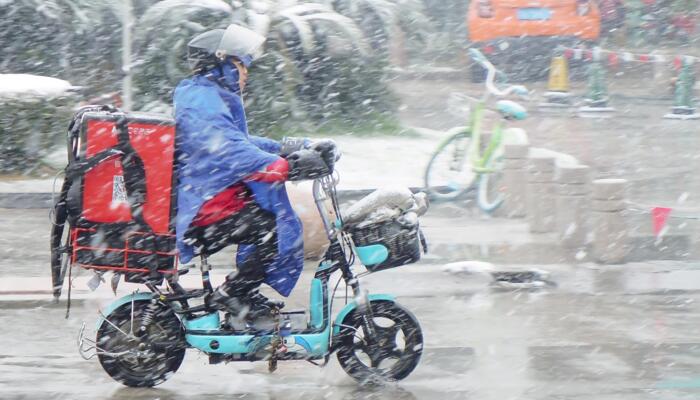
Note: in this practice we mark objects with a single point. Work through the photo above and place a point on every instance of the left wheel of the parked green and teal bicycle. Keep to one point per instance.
(449, 172)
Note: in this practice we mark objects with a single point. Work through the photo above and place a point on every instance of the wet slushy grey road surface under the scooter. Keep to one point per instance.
(619, 333)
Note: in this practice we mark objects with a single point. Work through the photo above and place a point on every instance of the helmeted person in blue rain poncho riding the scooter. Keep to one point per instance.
(230, 183)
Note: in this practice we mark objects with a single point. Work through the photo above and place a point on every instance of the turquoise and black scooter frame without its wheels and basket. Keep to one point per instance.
(205, 331)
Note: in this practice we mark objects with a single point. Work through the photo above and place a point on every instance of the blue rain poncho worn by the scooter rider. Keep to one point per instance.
(215, 151)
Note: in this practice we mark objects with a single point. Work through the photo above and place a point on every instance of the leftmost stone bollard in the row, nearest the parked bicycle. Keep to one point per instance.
(515, 180)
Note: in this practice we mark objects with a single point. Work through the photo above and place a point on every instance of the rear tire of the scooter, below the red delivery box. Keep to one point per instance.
(156, 363)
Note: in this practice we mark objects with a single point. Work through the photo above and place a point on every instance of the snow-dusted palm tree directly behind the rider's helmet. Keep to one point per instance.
(300, 74)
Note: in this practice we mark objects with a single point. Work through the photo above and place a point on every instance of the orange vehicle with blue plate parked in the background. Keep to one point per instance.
(520, 35)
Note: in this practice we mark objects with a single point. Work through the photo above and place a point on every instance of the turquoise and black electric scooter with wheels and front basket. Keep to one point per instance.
(142, 338)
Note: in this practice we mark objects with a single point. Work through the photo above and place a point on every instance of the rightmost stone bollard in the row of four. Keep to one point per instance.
(610, 236)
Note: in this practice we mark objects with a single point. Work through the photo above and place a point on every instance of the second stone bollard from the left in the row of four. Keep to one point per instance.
(541, 194)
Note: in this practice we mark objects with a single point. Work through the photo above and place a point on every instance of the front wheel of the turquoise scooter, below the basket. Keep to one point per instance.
(401, 340)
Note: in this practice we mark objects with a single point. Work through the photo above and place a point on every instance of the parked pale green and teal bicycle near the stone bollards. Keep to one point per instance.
(462, 162)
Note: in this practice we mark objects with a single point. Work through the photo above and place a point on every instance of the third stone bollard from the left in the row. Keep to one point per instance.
(572, 205)
